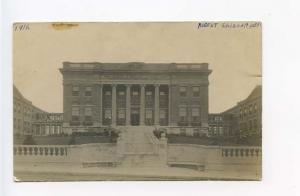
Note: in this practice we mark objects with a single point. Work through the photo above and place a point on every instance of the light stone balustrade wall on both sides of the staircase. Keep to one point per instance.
(211, 158)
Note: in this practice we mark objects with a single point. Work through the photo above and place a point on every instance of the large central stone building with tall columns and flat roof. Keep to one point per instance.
(134, 94)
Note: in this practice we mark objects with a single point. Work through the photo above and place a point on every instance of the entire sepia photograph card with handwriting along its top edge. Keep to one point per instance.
(127, 101)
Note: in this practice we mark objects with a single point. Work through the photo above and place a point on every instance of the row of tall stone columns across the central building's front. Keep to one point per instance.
(128, 104)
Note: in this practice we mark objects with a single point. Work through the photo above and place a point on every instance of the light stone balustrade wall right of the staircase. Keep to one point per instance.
(214, 157)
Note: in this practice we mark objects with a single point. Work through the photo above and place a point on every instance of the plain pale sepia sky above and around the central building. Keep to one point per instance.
(233, 54)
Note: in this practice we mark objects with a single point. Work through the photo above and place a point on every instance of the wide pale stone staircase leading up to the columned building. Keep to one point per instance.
(138, 147)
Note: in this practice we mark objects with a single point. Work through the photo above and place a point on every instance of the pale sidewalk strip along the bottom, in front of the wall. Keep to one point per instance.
(43, 172)
